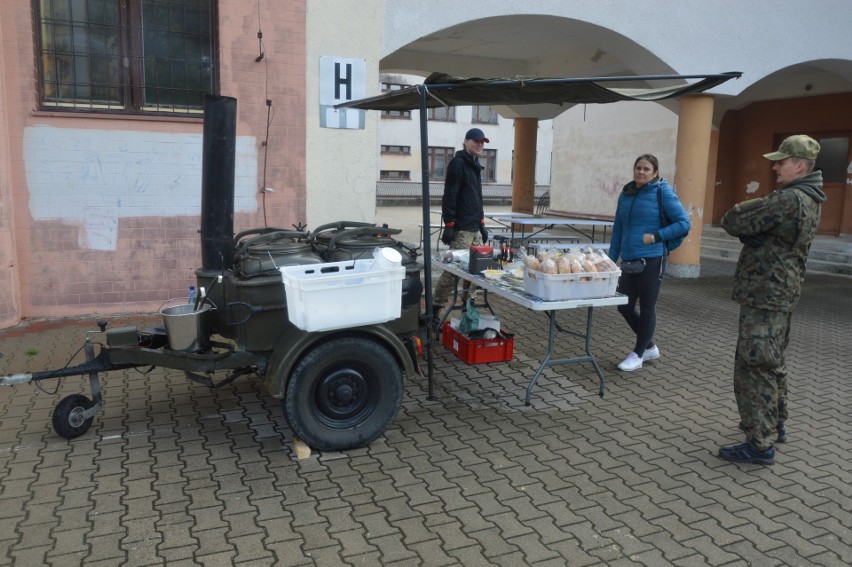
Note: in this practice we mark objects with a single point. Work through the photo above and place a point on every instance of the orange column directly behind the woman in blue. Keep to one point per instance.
(695, 123)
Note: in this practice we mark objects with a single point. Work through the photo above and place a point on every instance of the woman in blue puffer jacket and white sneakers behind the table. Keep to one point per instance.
(638, 234)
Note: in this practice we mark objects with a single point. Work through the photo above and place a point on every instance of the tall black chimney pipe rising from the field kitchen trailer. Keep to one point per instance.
(217, 182)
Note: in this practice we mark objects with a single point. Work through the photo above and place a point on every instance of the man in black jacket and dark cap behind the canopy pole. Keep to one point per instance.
(461, 209)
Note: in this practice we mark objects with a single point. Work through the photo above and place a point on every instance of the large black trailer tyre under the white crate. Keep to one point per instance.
(343, 394)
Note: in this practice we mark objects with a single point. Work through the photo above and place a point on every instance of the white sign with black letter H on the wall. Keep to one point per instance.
(341, 80)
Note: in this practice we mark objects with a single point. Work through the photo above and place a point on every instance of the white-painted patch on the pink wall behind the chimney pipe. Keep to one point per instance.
(96, 177)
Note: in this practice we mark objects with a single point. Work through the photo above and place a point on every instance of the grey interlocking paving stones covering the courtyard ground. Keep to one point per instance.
(173, 473)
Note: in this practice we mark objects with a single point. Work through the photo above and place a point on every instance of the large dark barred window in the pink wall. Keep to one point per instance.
(126, 55)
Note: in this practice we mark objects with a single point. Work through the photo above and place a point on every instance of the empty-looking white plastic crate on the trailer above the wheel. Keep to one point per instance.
(336, 295)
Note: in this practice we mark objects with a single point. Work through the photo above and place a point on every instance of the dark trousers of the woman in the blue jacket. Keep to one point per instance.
(644, 288)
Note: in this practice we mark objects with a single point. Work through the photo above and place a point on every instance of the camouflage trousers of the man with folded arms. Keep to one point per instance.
(760, 377)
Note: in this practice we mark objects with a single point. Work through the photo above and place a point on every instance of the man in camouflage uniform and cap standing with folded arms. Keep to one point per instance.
(776, 231)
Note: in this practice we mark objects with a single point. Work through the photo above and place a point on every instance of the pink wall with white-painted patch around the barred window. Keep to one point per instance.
(99, 213)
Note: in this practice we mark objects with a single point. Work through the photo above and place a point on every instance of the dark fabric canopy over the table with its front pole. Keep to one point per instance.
(440, 89)
